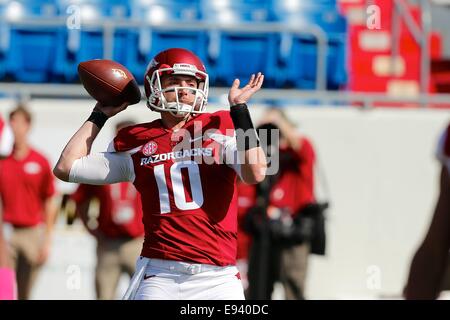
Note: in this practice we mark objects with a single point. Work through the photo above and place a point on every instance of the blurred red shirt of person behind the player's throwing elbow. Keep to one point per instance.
(120, 211)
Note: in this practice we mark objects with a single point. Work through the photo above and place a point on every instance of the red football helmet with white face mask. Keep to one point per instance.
(176, 62)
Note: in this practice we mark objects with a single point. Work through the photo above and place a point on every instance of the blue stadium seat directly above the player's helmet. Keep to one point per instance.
(146, 42)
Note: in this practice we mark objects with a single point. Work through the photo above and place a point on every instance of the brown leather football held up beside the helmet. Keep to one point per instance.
(109, 82)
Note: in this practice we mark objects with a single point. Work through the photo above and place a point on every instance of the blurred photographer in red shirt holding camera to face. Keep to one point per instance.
(286, 222)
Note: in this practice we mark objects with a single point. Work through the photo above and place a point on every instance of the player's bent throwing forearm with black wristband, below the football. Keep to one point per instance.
(80, 144)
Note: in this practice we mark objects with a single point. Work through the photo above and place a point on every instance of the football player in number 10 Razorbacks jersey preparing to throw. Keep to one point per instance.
(185, 166)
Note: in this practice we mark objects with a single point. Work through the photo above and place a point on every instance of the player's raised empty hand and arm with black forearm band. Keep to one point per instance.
(254, 163)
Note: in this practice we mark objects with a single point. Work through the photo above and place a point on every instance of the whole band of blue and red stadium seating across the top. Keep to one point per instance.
(44, 40)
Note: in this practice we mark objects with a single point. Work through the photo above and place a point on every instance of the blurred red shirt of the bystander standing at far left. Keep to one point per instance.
(24, 186)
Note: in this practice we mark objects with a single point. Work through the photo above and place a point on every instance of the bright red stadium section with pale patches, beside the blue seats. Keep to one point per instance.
(370, 60)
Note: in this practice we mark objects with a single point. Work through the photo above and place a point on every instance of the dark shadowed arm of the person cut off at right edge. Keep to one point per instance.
(429, 262)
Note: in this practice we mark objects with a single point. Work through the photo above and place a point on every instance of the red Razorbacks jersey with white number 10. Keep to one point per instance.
(189, 203)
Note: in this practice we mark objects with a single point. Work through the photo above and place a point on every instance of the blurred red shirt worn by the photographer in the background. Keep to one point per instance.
(295, 184)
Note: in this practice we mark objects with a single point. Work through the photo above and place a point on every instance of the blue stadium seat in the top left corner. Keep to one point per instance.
(30, 56)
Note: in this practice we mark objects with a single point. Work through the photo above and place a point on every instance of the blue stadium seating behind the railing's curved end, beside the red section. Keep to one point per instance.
(300, 60)
